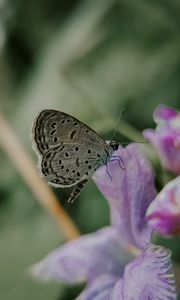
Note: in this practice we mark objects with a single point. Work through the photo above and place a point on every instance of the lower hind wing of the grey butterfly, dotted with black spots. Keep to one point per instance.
(67, 164)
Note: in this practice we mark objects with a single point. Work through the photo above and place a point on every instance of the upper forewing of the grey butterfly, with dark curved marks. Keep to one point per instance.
(51, 128)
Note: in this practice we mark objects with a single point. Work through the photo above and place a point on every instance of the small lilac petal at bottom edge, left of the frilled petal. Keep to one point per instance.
(100, 289)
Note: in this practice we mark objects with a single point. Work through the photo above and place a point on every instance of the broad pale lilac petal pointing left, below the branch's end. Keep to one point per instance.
(85, 258)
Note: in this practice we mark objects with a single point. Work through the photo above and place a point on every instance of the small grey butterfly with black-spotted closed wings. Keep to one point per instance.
(69, 151)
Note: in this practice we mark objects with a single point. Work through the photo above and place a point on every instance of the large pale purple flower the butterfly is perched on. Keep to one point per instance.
(117, 262)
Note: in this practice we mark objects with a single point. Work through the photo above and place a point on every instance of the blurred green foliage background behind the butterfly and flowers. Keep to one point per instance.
(89, 58)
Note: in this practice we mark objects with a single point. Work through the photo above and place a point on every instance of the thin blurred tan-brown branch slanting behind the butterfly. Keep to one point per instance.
(24, 165)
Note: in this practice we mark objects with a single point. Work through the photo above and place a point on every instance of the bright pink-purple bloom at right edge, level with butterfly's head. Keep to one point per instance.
(166, 137)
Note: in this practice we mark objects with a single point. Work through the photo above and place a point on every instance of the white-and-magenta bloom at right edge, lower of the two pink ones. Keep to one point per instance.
(164, 212)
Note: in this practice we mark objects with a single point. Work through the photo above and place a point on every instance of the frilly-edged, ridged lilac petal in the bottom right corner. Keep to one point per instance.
(147, 277)
